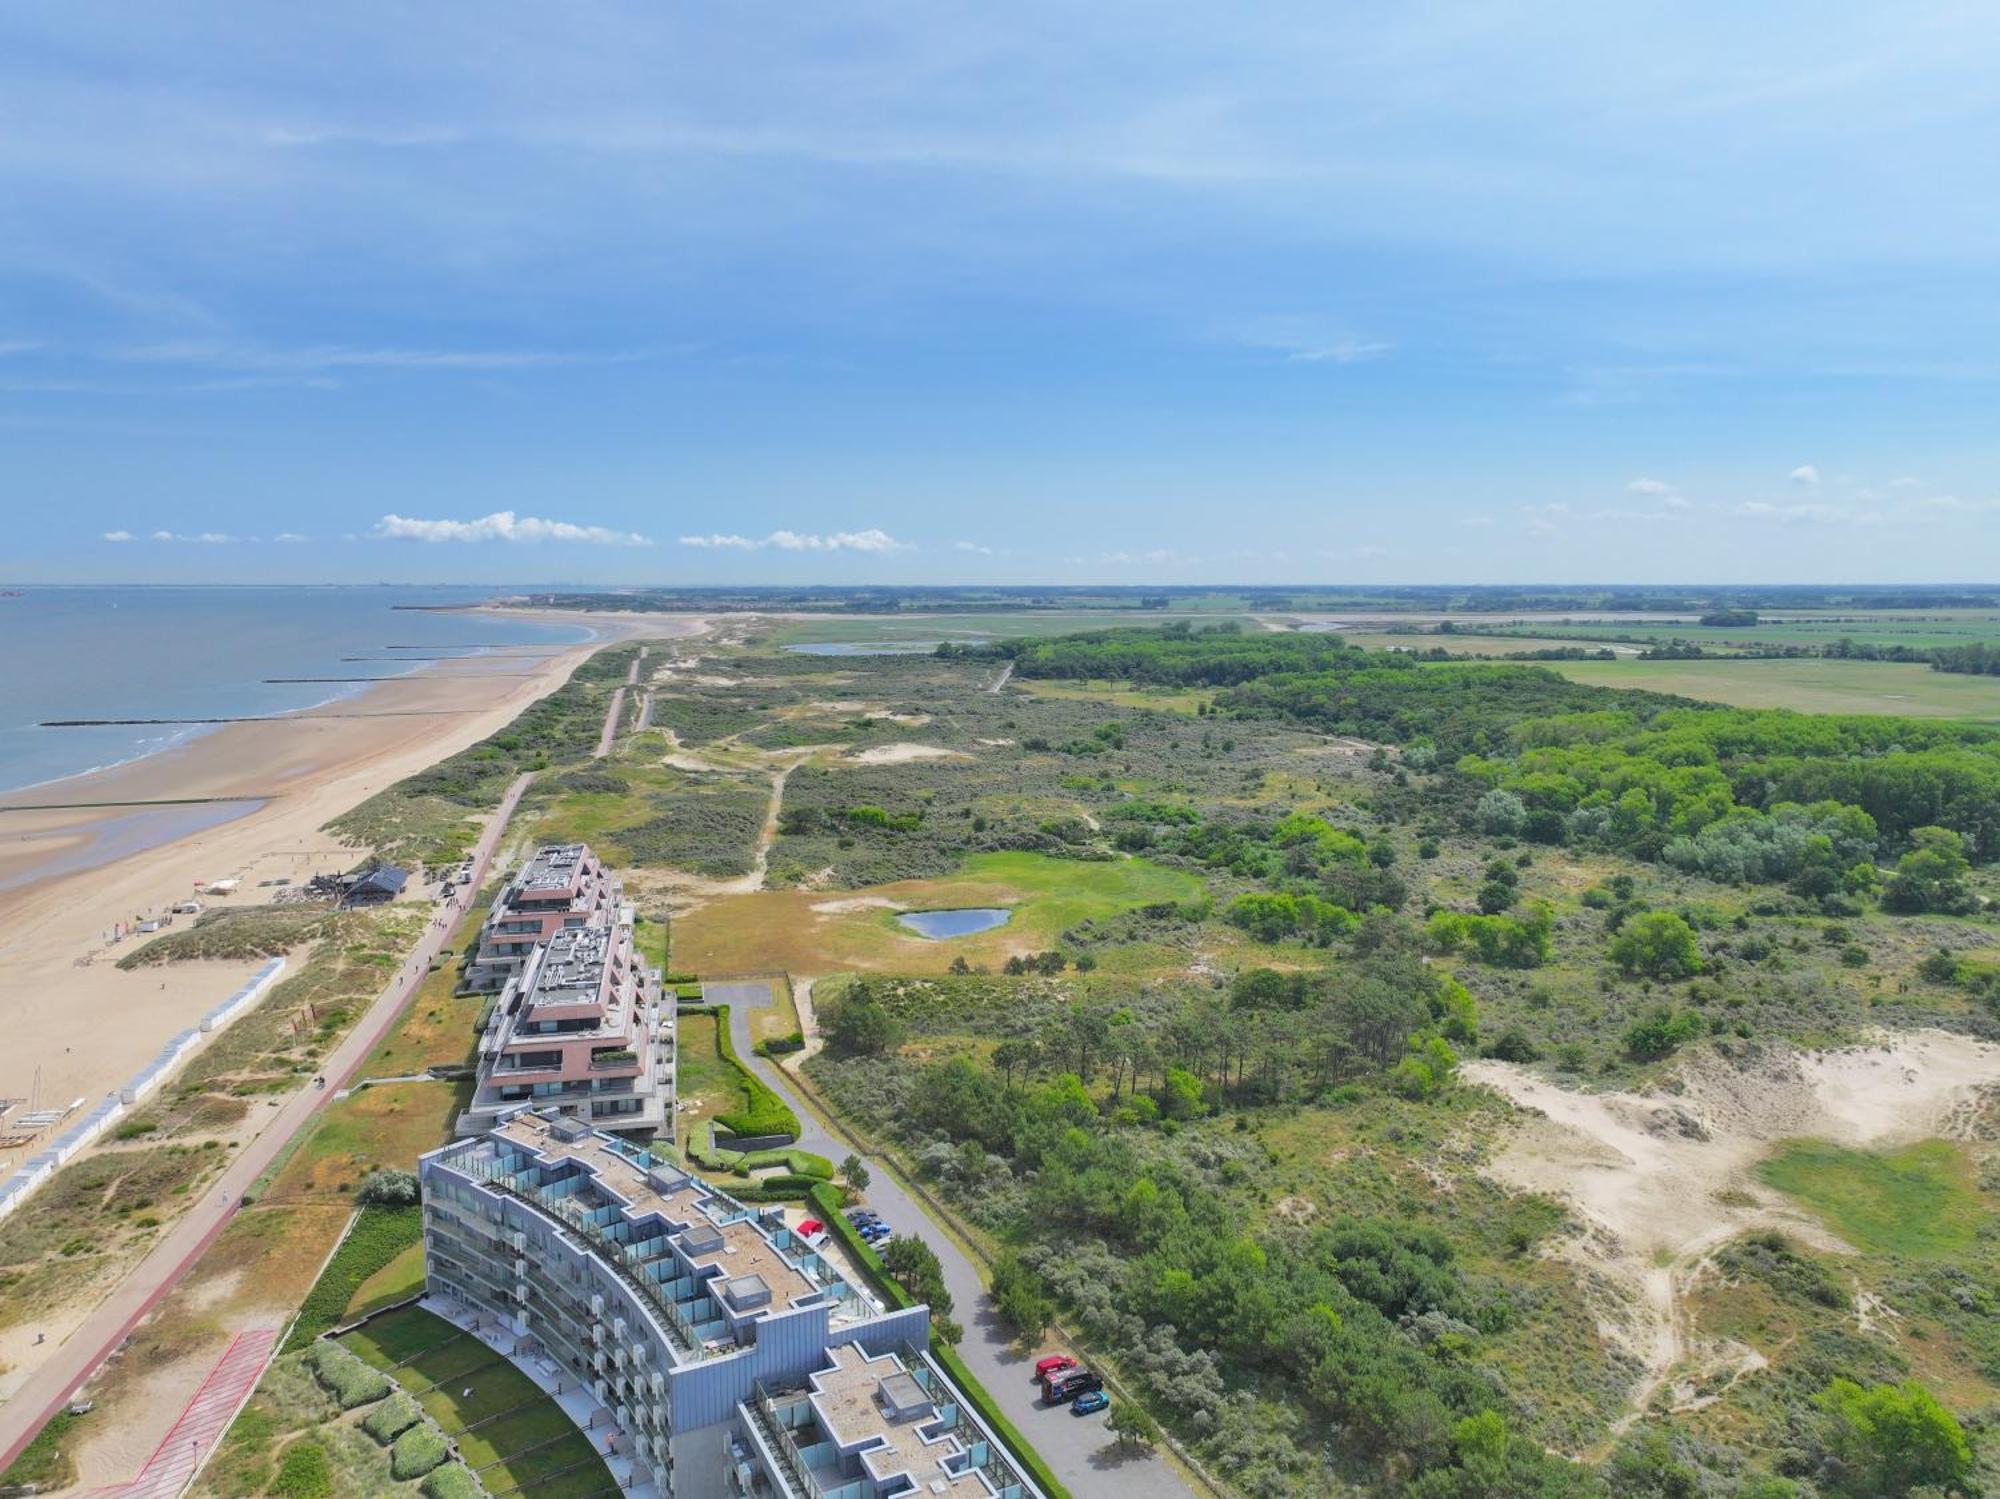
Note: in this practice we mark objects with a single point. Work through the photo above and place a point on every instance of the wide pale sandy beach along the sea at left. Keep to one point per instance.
(69, 876)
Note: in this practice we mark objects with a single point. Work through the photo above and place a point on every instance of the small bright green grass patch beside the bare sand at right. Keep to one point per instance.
(1919, 1202)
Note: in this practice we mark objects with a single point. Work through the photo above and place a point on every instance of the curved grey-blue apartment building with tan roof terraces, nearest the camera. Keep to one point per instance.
(725, 1356)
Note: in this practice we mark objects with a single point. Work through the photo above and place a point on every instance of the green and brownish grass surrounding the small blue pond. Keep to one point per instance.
(783, 928)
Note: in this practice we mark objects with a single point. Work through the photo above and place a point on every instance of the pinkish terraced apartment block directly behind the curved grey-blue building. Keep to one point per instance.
(585, 1030)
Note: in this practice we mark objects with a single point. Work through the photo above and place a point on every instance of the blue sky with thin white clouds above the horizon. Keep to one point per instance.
(1029, 293)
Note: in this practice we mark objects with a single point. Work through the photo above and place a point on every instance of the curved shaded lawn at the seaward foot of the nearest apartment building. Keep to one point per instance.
(507, 1430)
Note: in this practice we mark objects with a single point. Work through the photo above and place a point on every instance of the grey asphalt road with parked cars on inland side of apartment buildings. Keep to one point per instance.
(1081, 1452)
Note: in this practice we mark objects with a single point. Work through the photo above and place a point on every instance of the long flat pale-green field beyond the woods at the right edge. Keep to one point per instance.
(1811, 687)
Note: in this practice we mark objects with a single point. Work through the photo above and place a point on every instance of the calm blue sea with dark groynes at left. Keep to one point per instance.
(205, 653)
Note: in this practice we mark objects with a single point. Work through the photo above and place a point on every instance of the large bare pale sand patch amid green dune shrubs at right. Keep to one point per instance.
(1663, 1180)
